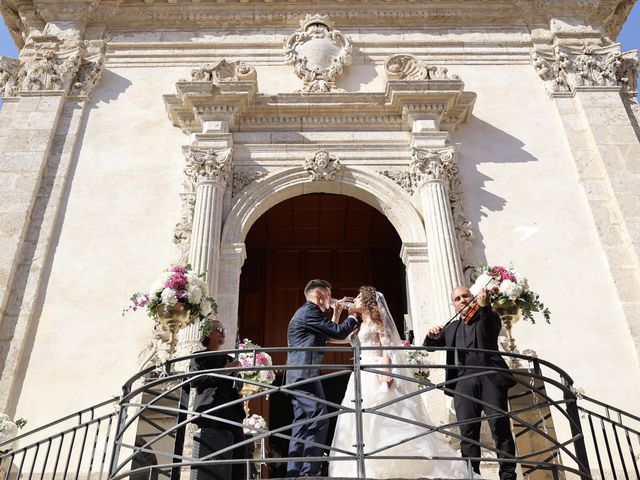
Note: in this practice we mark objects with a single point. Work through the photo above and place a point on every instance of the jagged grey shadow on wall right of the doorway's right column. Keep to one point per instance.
(481, 143)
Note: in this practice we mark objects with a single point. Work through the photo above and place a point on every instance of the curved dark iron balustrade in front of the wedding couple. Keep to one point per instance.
(80, 445)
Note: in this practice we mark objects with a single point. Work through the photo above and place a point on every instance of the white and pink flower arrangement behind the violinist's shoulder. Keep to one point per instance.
(508, 287)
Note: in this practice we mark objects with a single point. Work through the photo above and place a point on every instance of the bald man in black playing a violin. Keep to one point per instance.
(474, 390)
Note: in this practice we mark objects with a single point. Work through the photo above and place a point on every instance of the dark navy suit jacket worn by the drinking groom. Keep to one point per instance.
(310, 328)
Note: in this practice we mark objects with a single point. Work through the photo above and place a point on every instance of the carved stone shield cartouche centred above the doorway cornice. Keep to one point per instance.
(318, 53)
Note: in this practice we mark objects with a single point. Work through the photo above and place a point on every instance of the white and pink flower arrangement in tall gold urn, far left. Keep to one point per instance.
(176, 285)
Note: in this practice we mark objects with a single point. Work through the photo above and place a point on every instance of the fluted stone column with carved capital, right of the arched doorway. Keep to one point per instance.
(433, 170)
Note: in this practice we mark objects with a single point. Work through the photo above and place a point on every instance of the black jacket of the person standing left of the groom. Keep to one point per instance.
(213, 391)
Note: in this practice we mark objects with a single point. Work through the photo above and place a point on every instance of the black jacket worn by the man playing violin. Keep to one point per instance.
(485, 336)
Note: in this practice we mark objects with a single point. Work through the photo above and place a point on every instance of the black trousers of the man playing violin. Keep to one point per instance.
(484, 389)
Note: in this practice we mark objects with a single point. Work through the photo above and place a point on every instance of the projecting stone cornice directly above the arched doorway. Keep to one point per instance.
(237, 103)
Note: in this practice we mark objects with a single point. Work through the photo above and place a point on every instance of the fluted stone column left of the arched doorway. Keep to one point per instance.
(209, 171)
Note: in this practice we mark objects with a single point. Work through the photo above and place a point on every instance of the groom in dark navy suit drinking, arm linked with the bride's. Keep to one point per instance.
(309, 327)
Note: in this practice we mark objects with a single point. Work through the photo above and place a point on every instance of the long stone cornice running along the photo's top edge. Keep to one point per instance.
(586, 17)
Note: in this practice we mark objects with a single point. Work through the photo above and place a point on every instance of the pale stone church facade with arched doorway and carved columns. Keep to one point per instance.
(395, 143)
